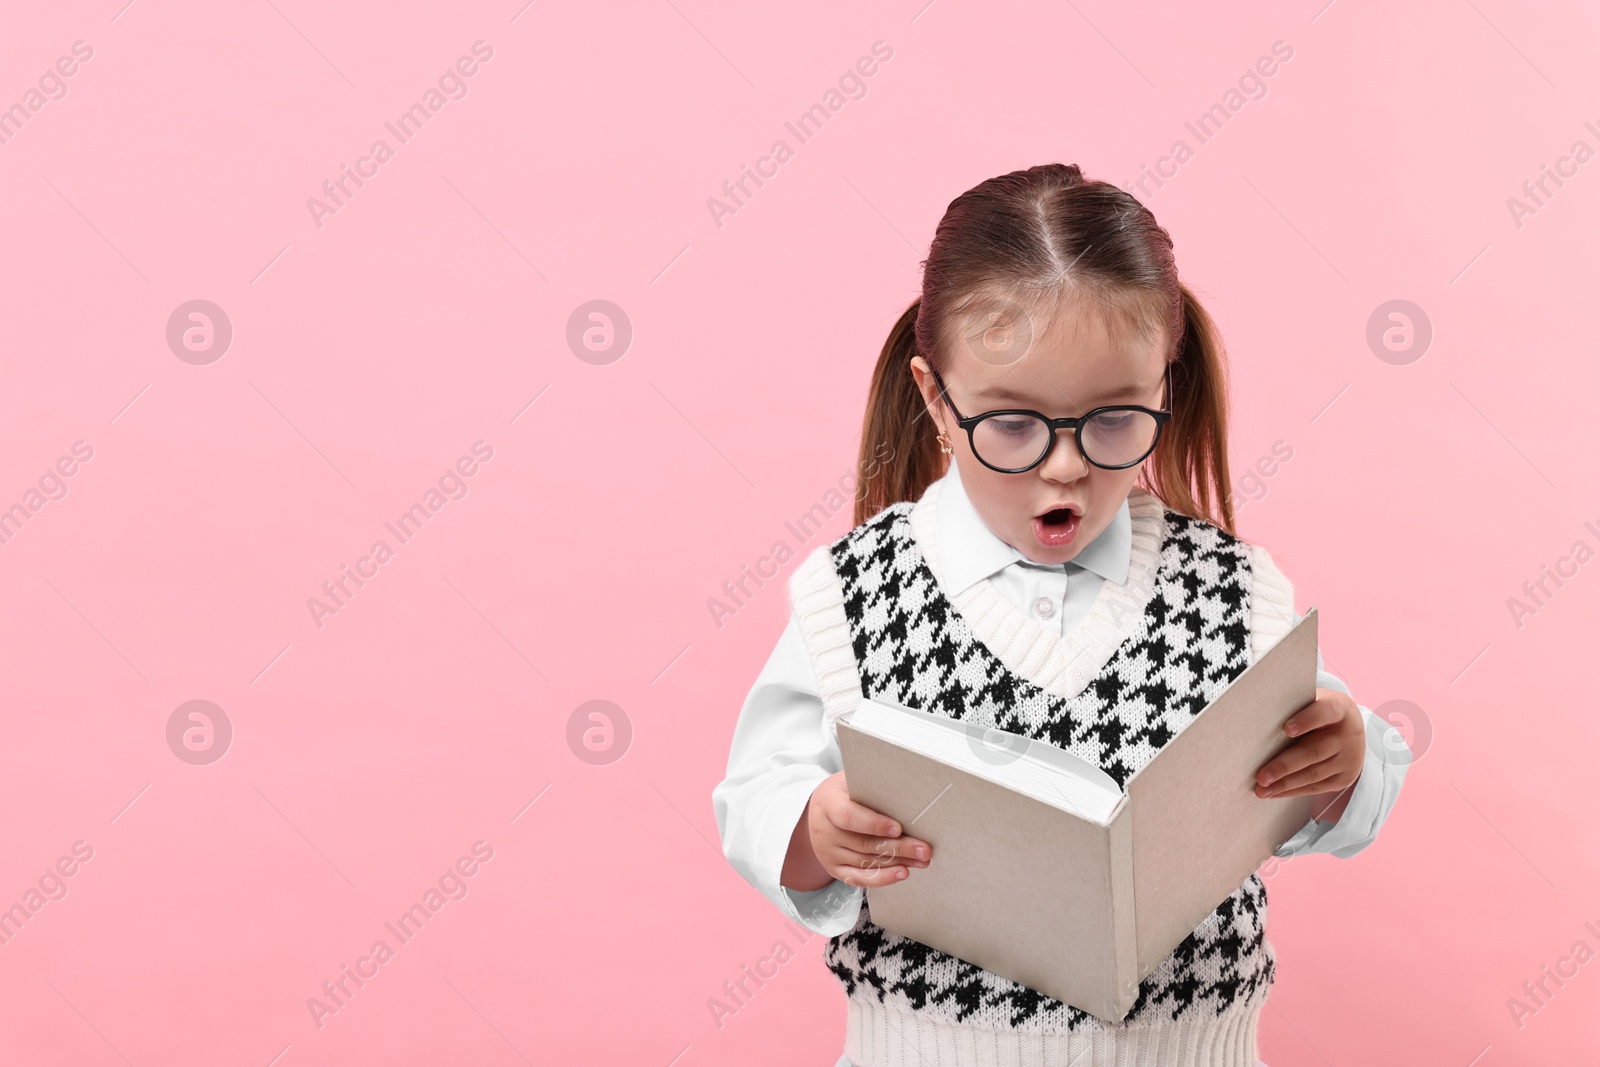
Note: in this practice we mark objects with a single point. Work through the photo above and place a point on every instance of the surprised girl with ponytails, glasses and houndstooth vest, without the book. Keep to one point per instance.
(1044, 545)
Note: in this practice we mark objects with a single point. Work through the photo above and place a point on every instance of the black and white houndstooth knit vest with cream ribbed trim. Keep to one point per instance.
(1153, 653)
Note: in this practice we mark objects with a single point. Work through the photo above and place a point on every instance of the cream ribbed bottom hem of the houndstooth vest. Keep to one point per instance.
(879, 1036)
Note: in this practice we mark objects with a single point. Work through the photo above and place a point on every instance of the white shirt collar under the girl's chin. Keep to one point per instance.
(972, 553)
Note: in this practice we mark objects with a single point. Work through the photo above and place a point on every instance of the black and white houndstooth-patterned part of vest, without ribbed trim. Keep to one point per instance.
(914, 649)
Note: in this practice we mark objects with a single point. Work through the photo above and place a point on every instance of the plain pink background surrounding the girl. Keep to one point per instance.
(370, 353)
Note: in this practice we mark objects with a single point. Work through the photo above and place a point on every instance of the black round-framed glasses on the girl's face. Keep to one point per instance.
(1014, 441)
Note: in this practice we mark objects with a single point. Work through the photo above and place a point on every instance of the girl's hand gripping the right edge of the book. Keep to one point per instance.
(1326, 761)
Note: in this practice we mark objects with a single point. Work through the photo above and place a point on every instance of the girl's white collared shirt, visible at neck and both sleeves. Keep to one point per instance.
(782, 748)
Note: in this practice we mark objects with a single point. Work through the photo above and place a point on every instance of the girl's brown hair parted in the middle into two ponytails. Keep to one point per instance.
(1028, 238)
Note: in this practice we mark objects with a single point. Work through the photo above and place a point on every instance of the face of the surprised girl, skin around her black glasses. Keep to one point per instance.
(1063, 370)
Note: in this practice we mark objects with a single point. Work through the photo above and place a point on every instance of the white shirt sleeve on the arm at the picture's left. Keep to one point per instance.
(782, 751)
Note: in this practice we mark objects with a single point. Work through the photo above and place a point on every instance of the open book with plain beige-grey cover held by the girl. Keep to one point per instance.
(1044, 871)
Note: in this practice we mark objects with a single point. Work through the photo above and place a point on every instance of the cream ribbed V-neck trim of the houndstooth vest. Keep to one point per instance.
(1060, 665)
